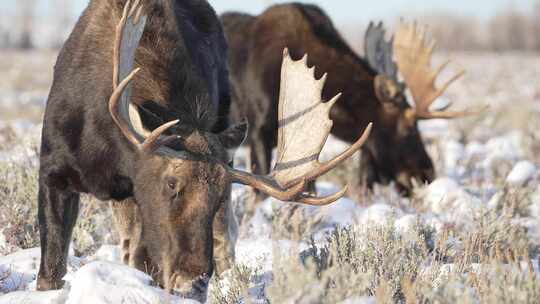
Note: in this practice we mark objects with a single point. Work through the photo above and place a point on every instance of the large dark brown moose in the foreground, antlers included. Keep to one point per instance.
(124, 65)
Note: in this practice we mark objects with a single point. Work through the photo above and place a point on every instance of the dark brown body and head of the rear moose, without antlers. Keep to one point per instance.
(394, 152)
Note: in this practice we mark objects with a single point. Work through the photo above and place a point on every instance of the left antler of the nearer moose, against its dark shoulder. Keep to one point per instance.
(128, 35)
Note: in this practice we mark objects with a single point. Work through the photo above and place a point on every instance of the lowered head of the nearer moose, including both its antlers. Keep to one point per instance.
(181, 180)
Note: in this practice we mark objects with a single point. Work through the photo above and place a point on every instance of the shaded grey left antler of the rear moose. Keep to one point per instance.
(379, 52)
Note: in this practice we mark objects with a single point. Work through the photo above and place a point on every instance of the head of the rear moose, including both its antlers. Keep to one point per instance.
(396, 150)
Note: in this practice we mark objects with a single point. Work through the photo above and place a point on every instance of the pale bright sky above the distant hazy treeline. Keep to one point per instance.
(53, 19)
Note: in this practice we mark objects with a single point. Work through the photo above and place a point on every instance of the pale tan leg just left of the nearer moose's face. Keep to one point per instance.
(129, 227)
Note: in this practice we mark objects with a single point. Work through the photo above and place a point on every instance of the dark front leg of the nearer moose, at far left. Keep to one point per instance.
(57, 215)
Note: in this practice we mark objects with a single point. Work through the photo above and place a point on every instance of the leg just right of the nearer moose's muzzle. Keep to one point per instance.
(225, 233)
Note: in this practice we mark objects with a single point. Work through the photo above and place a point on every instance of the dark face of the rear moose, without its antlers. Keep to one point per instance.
(396, 151)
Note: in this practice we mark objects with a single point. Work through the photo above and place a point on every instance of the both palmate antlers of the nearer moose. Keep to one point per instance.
(303, 117)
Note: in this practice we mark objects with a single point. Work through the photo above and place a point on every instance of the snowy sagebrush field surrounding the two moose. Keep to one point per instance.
(472, 236)
